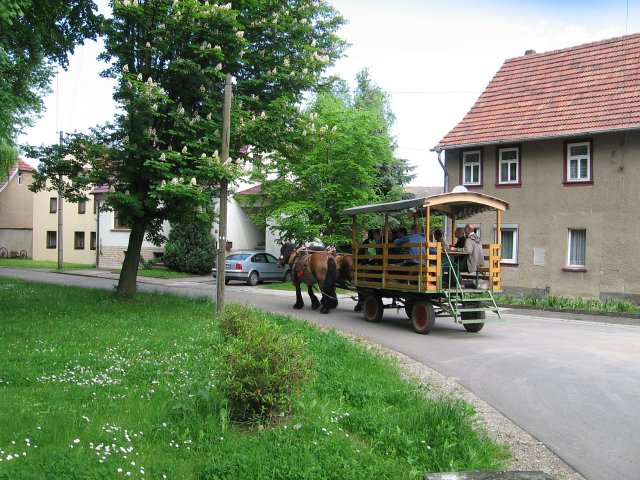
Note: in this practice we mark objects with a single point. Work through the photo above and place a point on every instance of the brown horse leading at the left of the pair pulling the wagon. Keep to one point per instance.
(311, 267)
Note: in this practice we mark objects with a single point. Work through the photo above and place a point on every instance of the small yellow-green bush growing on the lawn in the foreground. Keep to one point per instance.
(261, 366)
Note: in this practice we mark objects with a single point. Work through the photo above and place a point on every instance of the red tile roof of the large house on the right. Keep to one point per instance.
(585, 89)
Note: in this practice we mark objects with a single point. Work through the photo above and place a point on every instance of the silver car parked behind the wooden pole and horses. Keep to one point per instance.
(253, 267)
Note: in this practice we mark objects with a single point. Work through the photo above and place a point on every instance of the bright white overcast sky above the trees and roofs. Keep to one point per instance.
(434, 58)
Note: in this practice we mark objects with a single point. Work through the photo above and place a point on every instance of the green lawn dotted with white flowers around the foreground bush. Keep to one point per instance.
(92, 386)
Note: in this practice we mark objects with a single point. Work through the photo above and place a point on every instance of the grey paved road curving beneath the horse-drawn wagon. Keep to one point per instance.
(573, 384)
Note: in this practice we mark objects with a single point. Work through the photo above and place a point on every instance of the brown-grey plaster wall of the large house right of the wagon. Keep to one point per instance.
(544, 209)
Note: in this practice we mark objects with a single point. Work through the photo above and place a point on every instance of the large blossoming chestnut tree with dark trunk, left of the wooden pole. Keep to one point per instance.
(159, 158)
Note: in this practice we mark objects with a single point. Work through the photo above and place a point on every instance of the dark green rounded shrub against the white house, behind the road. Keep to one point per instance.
(190, 247)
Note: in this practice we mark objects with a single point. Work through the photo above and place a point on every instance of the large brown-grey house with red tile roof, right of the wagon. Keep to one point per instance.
(557, 135)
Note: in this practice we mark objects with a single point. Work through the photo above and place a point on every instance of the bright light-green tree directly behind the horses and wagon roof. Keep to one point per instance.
(343, 156)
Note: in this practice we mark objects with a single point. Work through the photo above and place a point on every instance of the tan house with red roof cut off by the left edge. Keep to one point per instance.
(16, 209)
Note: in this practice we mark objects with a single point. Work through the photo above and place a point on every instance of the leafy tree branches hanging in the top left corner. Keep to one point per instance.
(35, 36)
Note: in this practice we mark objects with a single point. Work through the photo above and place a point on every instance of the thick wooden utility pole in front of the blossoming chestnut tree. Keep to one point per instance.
(224, 187)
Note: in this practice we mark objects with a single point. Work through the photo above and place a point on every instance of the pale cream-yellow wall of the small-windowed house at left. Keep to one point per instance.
(73, 221)
